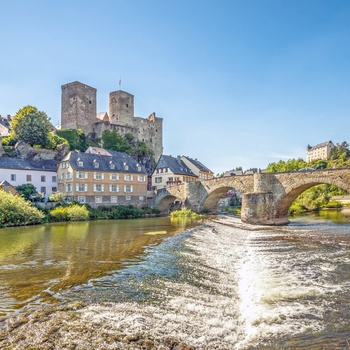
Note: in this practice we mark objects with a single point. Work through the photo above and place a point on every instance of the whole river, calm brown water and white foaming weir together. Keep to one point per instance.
(218, 285)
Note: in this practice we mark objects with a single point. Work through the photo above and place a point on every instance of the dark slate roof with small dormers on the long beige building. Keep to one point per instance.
(104, 161)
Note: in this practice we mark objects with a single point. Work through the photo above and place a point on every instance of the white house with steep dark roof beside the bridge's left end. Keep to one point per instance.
(171, 171)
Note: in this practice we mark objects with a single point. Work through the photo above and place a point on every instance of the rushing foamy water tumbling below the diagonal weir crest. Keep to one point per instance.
(225, 285)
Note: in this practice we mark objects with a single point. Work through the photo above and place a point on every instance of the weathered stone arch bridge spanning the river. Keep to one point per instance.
(266, 197)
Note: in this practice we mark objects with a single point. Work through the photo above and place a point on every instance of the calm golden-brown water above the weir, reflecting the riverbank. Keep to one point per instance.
(38, 261)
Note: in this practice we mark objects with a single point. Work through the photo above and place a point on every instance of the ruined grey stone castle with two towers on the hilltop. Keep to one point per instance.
(78, 111)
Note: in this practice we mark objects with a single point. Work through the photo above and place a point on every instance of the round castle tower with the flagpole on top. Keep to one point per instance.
(121, 108)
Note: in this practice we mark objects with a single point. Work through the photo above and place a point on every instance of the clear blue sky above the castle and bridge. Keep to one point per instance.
(237, 83)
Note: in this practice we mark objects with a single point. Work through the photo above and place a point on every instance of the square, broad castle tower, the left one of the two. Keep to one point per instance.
(78, 107)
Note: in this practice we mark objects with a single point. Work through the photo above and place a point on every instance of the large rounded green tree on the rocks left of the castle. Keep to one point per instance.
(31, 125)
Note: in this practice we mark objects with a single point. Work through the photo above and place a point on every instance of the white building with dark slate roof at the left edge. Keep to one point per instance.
(42, 174)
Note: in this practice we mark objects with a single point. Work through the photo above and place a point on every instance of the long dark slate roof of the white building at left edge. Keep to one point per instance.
(23, 164)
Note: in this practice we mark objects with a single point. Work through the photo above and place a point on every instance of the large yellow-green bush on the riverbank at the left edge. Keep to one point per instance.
(16, 211)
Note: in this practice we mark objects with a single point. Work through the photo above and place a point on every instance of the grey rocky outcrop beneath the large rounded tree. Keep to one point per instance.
(25, 151)
